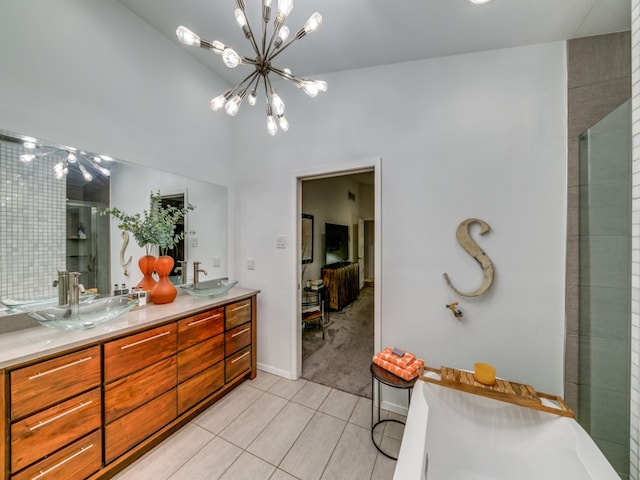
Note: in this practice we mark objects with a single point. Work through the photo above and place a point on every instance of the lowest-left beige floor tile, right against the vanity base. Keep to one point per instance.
(169, 456)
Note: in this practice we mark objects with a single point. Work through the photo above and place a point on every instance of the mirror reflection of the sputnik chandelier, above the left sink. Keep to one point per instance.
(67, 156)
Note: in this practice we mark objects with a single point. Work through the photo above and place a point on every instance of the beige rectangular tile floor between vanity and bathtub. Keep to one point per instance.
(277, 429)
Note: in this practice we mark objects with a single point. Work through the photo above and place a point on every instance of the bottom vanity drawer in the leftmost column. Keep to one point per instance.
(78, 460)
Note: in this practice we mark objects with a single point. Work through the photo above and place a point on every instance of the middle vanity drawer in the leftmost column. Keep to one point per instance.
(38, 435)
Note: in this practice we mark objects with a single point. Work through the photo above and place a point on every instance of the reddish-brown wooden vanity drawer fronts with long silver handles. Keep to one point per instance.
(88, 413)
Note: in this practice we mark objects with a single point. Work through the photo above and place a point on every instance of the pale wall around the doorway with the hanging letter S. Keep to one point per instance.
(478, 135)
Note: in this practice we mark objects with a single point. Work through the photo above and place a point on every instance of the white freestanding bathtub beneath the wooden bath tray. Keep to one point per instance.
(453, 435)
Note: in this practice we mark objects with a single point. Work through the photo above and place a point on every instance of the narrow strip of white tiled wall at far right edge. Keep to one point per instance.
(634, 471)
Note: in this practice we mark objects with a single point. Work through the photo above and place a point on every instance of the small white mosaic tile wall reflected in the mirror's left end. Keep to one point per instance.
(32, 225)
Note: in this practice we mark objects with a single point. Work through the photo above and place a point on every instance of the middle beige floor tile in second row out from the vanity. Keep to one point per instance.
(246, 427)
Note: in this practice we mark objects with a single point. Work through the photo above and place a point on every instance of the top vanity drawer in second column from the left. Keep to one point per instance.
(132, 353)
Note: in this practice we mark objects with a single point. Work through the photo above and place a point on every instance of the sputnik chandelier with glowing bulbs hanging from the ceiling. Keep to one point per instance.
(265, 53)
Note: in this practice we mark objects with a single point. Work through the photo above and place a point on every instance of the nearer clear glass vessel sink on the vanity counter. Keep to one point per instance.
(89, 314)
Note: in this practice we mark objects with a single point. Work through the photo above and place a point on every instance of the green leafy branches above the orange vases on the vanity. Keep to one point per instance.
(153, 227)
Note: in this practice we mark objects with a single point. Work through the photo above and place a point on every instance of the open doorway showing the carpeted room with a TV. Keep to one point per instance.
(341, 201)
